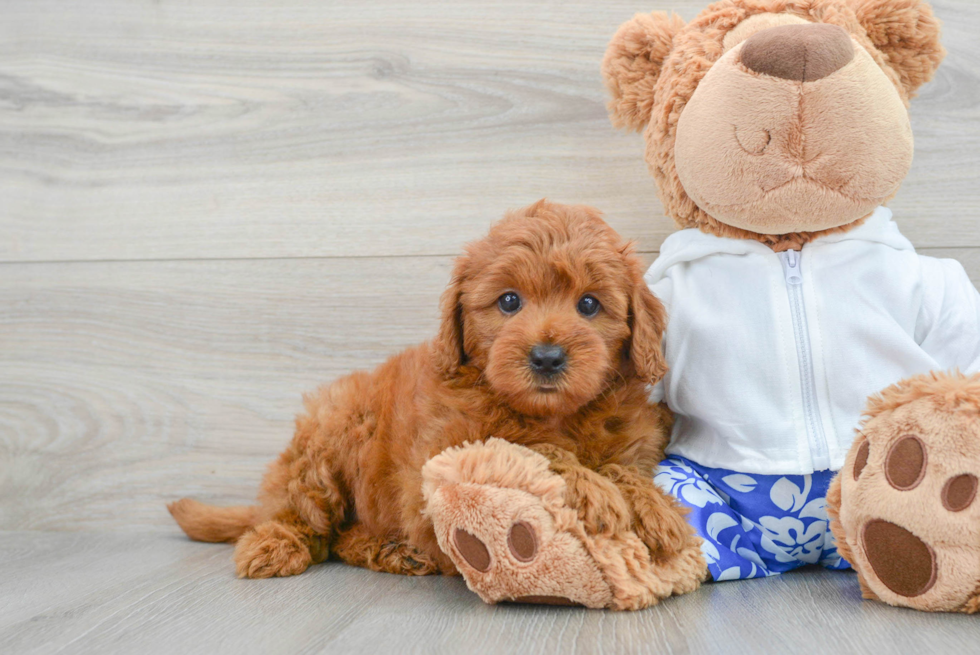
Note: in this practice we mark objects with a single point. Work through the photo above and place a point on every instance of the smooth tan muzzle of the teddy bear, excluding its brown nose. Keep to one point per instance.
(812, 162)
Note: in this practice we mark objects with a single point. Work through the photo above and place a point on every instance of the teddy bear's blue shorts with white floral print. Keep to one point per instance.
(754, 525)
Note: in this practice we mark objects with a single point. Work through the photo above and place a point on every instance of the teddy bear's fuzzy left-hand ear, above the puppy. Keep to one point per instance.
(632, 65)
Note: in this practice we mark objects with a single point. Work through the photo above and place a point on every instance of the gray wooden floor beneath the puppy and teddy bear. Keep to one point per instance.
(95, 593)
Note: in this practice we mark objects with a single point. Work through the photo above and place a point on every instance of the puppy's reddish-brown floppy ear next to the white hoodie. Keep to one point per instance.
(648, 320)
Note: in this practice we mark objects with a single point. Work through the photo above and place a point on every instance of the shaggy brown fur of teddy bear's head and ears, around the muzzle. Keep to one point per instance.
(655, 63)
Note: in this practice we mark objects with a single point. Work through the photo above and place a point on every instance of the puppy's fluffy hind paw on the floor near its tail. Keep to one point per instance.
(271, 549)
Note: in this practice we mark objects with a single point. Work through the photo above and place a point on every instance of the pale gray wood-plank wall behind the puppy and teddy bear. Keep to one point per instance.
(210, 207)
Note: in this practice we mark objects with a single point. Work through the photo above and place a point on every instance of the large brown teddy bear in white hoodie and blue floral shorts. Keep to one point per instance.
(822, 374)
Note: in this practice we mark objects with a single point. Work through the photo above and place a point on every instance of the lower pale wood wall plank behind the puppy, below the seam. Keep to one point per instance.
(127, 384)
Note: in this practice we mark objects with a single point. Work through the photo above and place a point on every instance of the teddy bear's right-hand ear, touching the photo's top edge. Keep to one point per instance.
(907, 33)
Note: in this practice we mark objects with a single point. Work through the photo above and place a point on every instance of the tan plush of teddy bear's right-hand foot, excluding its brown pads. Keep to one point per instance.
(943, 411)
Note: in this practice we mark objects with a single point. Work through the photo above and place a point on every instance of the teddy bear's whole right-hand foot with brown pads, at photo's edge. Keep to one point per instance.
(906, 503)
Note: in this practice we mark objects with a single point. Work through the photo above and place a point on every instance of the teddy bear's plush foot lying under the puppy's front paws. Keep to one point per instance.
(513, 526)
